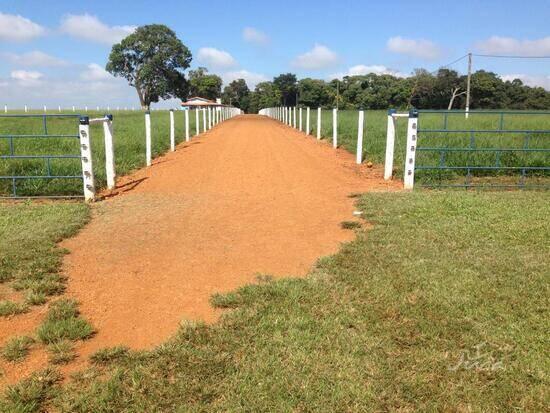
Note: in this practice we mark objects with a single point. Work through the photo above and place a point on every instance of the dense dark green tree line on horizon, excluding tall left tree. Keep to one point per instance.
(423, 90)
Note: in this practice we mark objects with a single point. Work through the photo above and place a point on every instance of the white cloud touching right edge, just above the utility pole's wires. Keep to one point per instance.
(509, 45)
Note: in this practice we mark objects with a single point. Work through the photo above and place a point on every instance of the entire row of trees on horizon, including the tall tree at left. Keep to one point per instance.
(154, 60)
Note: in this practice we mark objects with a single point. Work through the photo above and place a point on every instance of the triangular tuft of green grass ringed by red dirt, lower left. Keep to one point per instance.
(64, 323)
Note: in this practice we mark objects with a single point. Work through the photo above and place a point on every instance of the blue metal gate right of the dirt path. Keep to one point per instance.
(483, 149)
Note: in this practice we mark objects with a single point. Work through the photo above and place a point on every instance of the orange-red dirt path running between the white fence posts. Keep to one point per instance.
(249, 197)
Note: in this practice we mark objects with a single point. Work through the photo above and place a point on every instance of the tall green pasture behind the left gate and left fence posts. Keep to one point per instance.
(129, 136)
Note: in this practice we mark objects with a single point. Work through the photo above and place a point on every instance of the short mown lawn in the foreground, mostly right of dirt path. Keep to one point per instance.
(441, 306)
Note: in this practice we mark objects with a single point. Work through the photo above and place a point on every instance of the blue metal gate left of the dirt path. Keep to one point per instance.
(40, 156)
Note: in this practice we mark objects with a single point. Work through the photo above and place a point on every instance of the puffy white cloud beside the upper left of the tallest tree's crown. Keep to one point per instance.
(88, 27)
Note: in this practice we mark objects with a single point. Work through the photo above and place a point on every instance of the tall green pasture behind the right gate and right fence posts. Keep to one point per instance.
(374, 146)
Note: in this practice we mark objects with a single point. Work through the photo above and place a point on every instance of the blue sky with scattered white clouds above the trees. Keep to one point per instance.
(54, 53)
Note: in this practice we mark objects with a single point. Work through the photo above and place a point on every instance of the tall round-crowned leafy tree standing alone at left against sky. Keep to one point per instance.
(153, 60)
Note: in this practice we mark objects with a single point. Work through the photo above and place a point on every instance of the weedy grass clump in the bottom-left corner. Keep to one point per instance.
(29, 395)
